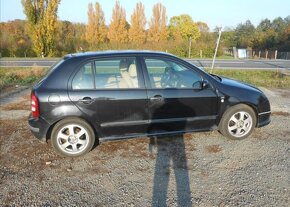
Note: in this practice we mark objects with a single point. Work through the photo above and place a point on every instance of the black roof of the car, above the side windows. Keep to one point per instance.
(116, 52)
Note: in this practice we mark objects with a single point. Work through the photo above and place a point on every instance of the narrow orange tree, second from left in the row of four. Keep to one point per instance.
(118, 29)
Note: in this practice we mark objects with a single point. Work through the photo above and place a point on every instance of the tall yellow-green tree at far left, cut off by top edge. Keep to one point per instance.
(42, 20)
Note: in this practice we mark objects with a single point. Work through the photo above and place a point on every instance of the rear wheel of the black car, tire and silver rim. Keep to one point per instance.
(72, 137)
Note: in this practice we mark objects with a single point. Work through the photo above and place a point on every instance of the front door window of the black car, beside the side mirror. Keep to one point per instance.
(168, 74)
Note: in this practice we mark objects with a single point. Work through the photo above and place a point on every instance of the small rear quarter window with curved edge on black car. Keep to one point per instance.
(83, 80)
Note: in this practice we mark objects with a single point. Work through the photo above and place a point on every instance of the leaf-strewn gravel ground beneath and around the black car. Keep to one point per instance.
(199, 169)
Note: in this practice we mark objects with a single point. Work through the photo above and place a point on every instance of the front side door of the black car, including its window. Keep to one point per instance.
(177, 101)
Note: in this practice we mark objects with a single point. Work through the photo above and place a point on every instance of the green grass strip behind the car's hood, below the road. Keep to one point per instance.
(260, 78)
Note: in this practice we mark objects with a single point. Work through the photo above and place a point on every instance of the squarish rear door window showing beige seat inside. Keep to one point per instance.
(116, 73)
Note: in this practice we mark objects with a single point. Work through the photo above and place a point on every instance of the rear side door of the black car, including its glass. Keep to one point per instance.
(110, 92)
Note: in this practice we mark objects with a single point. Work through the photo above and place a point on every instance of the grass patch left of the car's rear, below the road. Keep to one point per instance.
(9, 77)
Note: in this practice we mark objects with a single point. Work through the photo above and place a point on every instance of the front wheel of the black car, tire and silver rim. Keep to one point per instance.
(238, 122)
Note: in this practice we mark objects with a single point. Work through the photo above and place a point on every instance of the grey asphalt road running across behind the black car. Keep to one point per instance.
(203, 63)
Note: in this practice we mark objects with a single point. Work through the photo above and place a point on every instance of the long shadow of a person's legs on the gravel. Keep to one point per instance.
(171, 158)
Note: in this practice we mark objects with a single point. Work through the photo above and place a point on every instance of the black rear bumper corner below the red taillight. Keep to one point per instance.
(39, 127)
